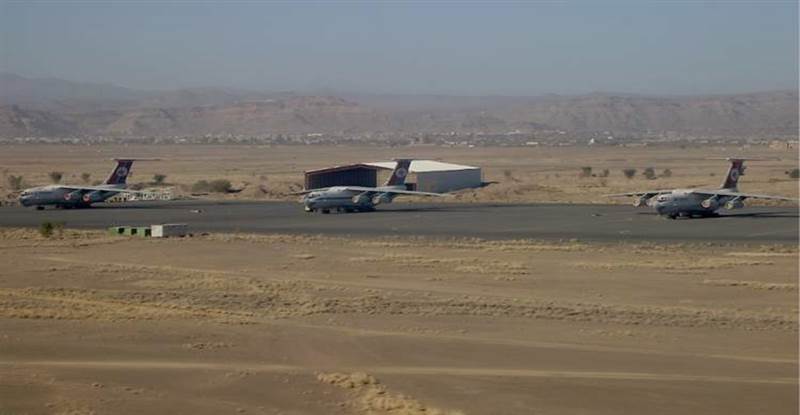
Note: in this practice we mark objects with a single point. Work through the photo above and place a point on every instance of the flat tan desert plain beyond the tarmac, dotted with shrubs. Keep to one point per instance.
(523, 174)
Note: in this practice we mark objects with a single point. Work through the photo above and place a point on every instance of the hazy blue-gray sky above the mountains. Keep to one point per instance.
(678, 47)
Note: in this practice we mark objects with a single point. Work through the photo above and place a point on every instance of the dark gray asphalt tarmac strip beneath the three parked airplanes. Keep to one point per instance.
(534, 221)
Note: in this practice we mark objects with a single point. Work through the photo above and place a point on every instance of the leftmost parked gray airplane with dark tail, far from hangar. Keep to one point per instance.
(79, 196)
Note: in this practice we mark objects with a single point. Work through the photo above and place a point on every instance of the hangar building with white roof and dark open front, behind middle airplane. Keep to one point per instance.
(425, 176)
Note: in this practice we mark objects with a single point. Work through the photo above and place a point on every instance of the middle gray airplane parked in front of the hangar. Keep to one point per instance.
(359, 198)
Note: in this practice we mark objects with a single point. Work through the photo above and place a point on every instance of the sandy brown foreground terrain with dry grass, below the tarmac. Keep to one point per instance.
(274, 324)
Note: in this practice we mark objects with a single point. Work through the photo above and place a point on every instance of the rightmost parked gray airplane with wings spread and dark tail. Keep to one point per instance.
(674, 203)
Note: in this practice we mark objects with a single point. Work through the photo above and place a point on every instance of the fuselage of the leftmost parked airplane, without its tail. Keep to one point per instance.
(64, 197)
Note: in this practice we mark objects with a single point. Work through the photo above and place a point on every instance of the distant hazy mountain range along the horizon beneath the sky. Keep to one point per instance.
(55, 107)
